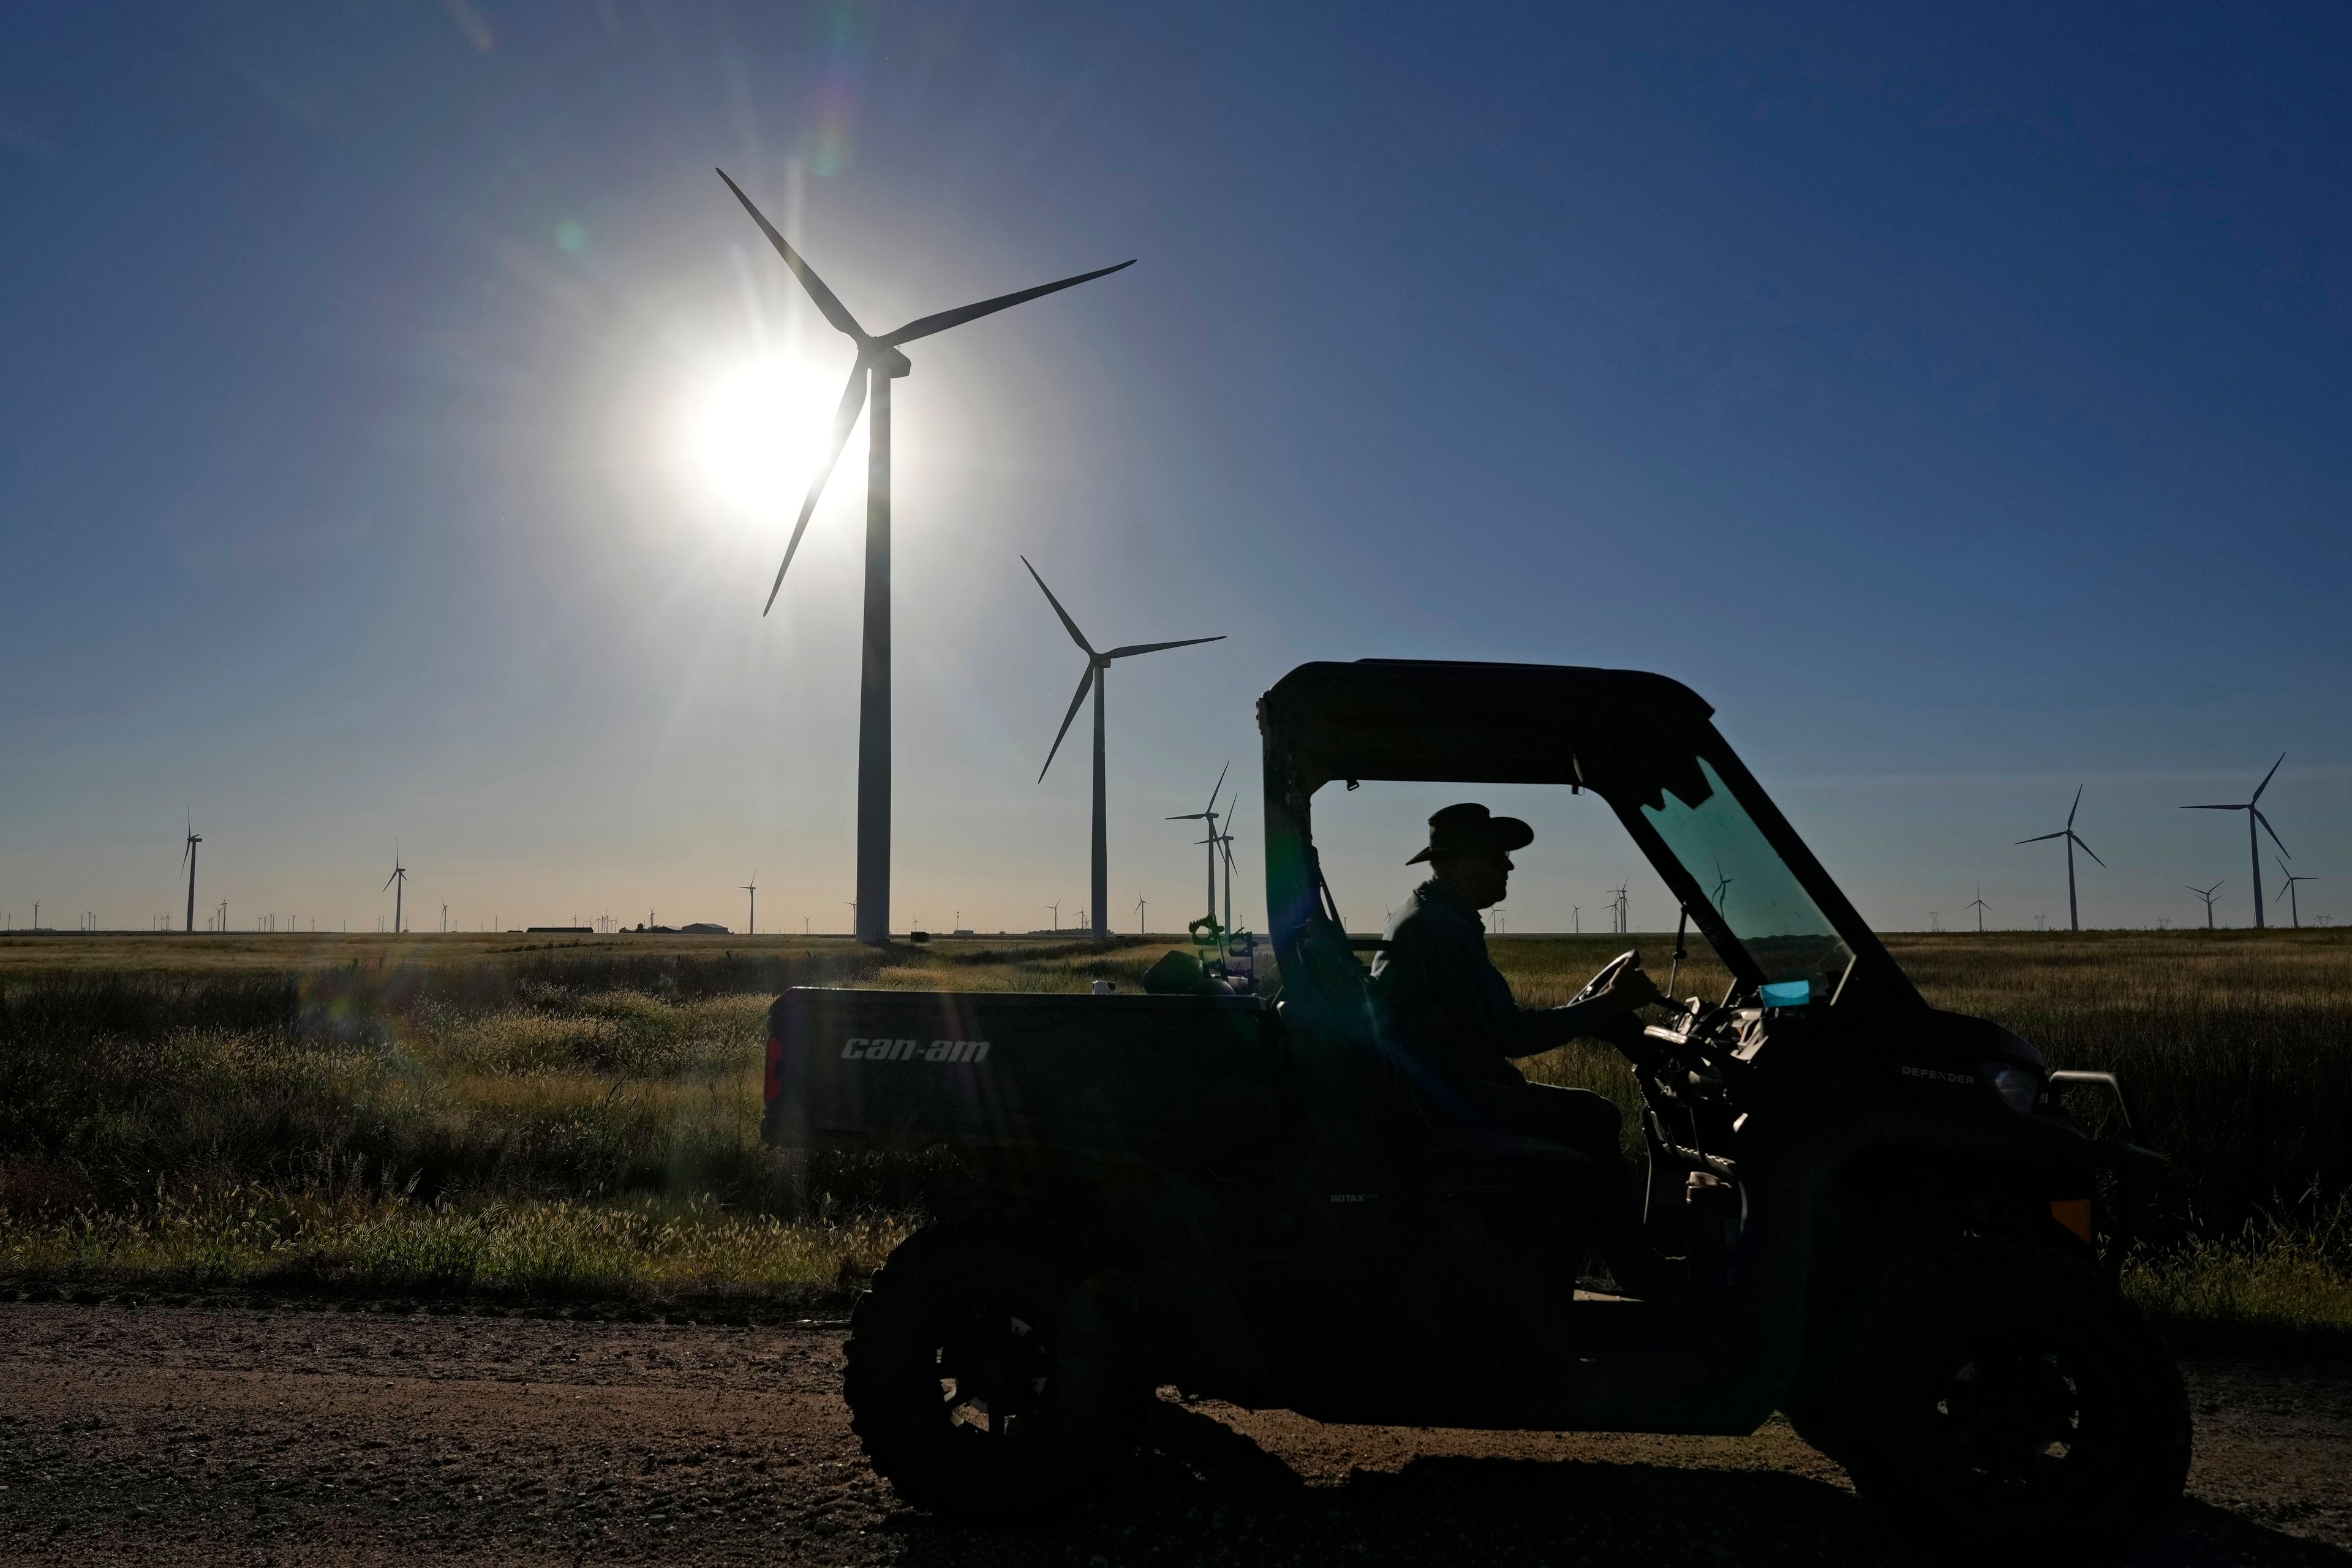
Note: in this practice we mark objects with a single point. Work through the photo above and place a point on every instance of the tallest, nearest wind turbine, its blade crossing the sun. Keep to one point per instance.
(869, 377)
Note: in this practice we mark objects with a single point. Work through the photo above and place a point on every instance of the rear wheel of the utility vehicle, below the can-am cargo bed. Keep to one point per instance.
(987, 1379)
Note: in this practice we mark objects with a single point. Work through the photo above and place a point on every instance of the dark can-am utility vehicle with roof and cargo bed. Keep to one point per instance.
(1887, 1219)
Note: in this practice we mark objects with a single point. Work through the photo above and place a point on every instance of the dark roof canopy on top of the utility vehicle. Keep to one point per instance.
(1481, 723)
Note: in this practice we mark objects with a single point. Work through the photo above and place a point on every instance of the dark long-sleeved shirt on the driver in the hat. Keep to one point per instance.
(1438, 996)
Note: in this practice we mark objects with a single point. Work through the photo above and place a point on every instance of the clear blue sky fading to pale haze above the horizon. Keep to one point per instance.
(401, 424)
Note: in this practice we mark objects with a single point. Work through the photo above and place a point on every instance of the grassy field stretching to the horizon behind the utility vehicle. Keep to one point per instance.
(577, 1115)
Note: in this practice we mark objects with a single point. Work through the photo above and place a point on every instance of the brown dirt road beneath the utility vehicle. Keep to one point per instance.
(300, 1435)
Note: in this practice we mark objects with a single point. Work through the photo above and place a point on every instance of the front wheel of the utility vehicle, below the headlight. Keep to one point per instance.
(2007, 1395)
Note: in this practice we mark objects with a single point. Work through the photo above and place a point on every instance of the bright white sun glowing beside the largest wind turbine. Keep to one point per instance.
(751, 434)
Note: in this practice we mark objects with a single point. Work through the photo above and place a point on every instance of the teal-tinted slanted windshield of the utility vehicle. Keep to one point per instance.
(1756, 892)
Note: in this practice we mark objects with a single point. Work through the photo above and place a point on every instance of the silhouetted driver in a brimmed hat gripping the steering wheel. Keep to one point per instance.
(1443, 1000)
